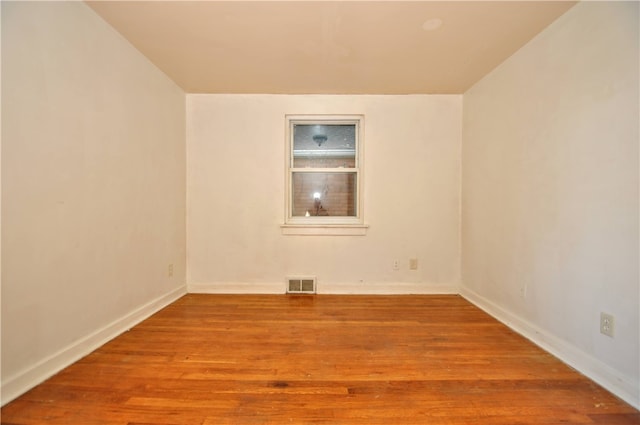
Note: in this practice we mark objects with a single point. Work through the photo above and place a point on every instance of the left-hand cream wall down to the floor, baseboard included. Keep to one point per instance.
(93, 187)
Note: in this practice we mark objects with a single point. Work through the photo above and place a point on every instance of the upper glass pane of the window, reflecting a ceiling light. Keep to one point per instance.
(324, 145)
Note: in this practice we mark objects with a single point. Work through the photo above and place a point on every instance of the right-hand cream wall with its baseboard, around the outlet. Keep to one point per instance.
(550, 191)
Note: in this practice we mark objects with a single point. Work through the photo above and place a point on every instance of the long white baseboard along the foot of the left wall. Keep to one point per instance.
(20, 383)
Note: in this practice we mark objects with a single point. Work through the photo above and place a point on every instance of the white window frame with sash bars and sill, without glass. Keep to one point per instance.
(324, 225)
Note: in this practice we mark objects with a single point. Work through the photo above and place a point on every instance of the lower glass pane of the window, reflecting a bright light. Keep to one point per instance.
(324, 194)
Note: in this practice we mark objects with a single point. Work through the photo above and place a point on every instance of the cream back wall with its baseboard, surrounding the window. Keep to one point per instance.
(235, 190)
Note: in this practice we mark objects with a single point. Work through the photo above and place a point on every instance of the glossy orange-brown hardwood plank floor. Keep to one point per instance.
(276, 359)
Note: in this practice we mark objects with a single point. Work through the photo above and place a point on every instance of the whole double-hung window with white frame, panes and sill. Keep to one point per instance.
(324, 175)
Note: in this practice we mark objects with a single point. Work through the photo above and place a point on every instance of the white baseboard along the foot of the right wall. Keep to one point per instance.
(603, 374)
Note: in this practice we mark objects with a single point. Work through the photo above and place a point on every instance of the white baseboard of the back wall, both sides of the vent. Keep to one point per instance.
(350, 288)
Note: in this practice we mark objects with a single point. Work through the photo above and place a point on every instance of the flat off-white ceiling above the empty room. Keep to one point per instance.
(328, 47)
